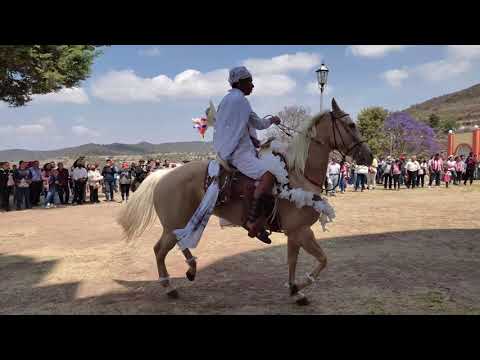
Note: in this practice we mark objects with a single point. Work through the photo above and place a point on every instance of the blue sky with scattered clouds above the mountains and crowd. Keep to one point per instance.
(151, 93)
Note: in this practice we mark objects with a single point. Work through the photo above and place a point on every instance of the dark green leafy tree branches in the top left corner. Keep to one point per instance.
(27, 70)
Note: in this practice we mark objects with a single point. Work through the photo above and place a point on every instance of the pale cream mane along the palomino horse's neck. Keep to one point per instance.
(297, 153)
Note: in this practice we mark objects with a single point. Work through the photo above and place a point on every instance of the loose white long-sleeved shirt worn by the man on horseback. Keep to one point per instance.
(233, 127)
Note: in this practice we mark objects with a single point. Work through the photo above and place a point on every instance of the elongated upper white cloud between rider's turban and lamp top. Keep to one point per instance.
(284, 63)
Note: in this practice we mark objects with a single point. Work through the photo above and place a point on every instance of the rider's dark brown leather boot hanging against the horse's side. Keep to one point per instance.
(255, 223)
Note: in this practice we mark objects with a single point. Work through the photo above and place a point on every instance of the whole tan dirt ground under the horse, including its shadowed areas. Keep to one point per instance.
(406, 252)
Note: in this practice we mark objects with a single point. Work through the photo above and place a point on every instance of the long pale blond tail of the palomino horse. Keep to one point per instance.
(139, 213)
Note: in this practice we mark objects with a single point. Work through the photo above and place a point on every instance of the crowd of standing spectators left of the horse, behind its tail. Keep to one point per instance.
(30, 185)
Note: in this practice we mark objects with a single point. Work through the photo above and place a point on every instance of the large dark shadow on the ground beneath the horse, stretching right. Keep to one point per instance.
(412, 272)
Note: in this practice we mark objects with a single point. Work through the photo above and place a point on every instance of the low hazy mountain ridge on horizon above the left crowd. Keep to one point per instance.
(114, 149)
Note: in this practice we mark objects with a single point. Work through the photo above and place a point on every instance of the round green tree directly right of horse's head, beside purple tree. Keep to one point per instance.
(370, 123)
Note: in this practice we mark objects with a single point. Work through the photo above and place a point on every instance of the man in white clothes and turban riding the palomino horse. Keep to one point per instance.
(235, 142)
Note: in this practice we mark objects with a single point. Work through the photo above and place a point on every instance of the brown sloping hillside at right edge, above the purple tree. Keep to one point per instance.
(463, 106)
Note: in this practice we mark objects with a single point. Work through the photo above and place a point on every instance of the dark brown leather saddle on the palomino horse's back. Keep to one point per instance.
(235, 186)
